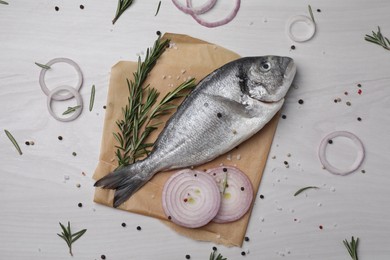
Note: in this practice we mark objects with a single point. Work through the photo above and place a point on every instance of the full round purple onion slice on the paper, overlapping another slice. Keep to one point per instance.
(191, 198)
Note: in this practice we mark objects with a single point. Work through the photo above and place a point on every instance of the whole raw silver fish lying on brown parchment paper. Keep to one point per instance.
(226, 108)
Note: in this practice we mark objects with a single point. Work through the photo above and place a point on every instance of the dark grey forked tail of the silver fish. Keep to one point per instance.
(125, 181)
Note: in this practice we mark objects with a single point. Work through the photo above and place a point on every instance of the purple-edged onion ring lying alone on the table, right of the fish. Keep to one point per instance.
(322, 153)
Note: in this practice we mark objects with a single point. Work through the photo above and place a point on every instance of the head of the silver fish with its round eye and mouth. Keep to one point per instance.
(269, 78)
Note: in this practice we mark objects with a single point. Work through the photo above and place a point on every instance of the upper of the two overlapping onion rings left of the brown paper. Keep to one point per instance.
(43, 73)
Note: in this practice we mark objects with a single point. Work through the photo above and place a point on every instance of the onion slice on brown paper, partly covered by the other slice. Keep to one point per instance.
(237, 193)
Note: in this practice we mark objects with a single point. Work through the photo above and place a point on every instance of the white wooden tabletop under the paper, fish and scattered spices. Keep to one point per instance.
(34, 195)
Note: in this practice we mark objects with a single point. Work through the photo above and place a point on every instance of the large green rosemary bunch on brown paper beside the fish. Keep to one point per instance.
(141, 112)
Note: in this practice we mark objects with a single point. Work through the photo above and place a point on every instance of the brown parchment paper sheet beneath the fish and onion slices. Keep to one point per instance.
(186, 57)
